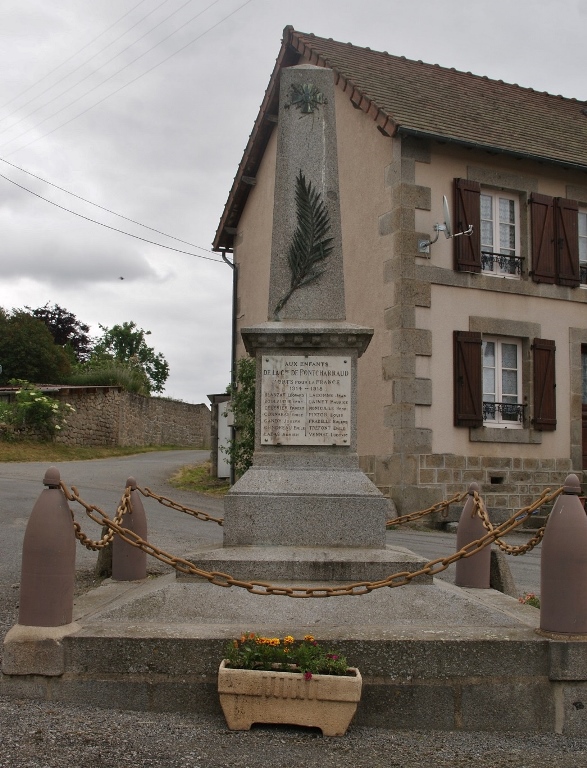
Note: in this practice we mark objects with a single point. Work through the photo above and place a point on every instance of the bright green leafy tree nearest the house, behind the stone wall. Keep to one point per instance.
(126, 344)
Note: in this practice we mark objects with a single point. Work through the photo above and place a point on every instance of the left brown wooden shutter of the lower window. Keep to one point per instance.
(468, 392)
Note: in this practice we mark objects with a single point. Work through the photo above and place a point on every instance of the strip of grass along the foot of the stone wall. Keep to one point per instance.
(33, 451)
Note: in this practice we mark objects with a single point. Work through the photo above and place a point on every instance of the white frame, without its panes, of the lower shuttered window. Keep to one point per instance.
(499, 421)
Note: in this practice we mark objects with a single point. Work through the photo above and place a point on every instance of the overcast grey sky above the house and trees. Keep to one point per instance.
(160, 140)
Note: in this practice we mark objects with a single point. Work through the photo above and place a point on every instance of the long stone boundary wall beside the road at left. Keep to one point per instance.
(112, 416)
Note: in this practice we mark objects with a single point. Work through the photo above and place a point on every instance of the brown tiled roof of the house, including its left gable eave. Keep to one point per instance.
(405, 96)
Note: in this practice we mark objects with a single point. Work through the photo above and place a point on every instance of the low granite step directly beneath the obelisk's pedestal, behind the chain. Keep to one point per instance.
(307, 564)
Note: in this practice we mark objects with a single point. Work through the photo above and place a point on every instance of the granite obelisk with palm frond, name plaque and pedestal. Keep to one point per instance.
(305, 488)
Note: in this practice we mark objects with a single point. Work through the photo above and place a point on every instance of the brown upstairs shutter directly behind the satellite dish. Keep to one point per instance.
(467, 250)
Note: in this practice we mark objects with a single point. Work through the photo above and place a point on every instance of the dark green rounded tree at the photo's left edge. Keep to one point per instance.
(27, 350)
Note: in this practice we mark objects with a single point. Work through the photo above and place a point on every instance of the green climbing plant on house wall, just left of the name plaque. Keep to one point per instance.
(242, 404)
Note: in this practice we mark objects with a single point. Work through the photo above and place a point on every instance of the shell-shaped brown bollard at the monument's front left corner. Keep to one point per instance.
(48, 560)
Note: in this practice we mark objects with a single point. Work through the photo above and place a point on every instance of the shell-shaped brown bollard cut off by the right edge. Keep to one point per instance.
(563, 565)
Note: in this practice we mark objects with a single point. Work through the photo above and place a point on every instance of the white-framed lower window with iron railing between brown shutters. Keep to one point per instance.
(502, 391)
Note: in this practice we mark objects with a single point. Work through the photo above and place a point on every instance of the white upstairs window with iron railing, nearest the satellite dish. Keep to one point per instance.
(499, 238)
